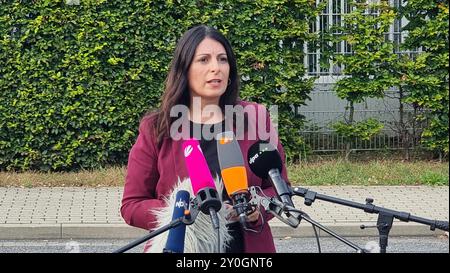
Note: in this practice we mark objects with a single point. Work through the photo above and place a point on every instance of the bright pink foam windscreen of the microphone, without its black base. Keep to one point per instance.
(197, 167)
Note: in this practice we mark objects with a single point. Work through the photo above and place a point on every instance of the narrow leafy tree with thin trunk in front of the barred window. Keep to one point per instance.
(365, 69)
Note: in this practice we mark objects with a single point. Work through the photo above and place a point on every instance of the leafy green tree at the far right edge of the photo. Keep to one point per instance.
(427, 76)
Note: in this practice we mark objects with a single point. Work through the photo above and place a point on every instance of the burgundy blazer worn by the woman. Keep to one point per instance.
(152, 173)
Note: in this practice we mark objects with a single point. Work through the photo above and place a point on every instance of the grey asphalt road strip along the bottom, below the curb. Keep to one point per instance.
(429, 244)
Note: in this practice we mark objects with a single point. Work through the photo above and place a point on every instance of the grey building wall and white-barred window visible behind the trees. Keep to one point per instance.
(325, 108)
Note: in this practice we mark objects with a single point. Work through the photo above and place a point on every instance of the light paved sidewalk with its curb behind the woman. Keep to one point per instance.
(69, 213)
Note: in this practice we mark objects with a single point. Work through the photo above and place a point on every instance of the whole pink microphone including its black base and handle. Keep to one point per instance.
(203, 186)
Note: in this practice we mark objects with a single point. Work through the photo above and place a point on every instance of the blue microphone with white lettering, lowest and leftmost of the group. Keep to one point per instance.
(175, 239)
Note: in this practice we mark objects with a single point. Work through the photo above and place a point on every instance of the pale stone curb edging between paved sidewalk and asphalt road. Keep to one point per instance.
(124, 231)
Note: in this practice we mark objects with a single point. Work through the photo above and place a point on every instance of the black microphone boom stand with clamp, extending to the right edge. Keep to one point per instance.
(385, 216)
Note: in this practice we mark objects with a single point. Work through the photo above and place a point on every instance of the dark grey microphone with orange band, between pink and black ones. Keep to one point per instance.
(234, 174)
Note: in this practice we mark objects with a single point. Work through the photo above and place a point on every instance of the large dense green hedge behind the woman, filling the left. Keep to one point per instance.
(76, 79)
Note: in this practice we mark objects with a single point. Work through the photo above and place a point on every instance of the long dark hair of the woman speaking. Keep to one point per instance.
(176, 84)
